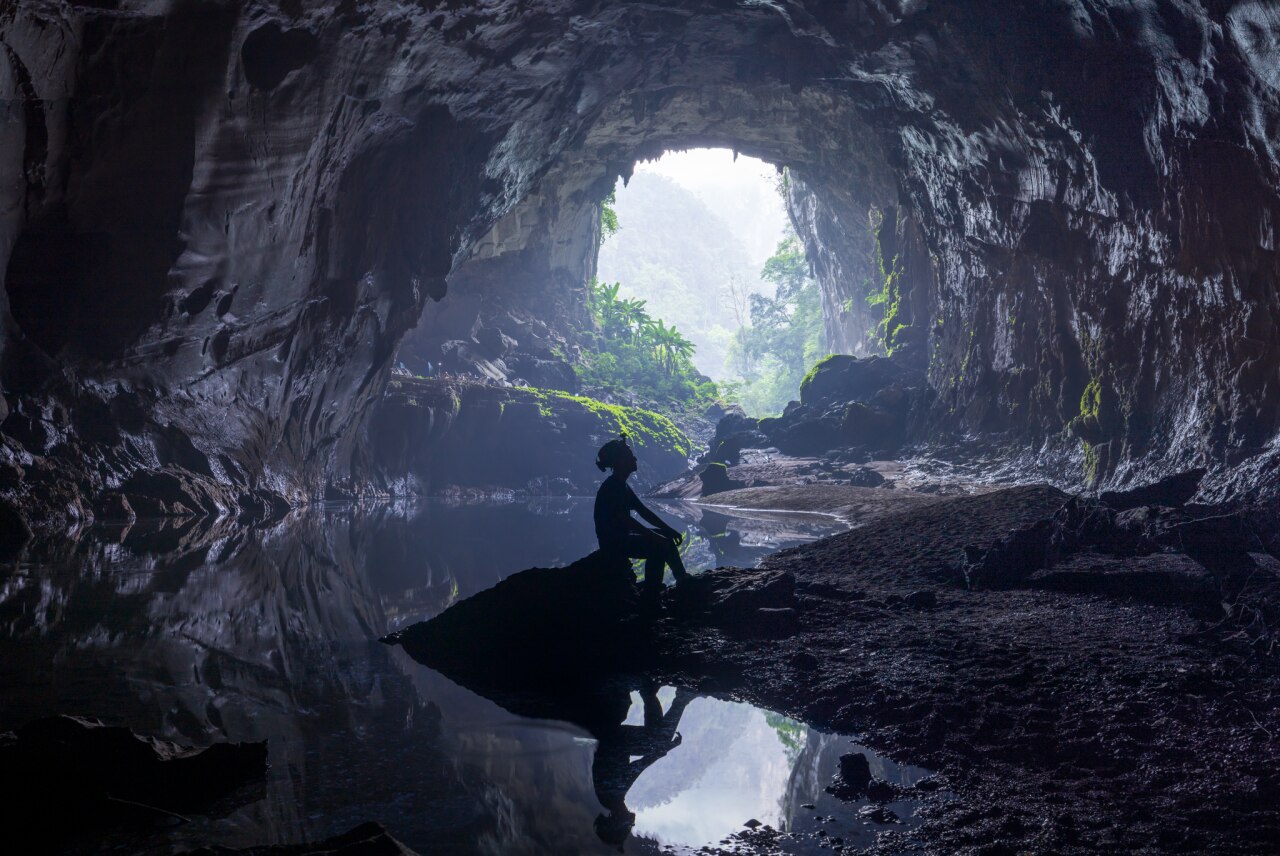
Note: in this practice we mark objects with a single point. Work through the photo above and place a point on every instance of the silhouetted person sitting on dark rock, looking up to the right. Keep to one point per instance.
(621, 534)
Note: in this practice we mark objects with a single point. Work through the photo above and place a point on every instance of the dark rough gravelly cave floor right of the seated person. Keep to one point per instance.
(1092, 718)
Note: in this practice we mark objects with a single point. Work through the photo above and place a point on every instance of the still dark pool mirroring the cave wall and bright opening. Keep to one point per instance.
(200, 634)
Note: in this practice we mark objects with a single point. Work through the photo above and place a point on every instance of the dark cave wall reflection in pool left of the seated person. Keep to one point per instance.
(271, 634)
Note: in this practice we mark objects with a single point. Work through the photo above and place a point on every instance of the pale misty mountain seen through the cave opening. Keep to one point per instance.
(680, 255)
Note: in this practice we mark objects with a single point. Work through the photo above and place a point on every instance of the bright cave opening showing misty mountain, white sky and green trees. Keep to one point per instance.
(703, 290)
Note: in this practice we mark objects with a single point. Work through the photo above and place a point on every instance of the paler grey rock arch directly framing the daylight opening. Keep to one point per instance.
(527, 280)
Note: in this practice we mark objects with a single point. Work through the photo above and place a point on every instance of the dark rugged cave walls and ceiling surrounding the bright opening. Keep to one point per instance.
(220, 221)
